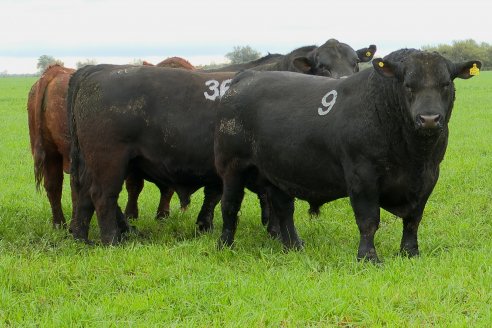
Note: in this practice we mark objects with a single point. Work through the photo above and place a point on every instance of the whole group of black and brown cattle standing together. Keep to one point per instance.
(304, 125)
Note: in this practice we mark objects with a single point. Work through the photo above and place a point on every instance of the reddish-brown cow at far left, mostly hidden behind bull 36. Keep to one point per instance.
(50, 144)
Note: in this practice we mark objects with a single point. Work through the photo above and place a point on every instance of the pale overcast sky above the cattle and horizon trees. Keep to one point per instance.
(118, 31)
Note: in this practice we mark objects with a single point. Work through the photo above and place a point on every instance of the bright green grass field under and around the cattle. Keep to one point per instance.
(168, 275)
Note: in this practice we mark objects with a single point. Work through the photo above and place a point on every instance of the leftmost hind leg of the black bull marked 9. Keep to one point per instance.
(232, 197)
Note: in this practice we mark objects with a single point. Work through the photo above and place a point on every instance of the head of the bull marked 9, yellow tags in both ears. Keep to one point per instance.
(426, 88)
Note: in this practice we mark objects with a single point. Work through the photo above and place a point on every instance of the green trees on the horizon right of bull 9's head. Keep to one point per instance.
(465, 50)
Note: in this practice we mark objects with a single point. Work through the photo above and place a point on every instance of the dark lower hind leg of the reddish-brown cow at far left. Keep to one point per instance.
(53, 184)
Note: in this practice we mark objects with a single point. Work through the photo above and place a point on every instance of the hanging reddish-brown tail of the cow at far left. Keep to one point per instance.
(35, 114)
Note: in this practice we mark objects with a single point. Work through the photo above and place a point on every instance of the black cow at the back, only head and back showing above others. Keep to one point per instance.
(333, 58)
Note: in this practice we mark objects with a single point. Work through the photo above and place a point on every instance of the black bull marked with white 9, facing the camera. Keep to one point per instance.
(377, 137)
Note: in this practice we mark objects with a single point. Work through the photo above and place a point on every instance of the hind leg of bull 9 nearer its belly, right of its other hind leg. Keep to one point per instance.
(282, 209)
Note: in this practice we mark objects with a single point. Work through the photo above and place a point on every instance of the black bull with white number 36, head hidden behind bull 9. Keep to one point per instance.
(157, 122)
